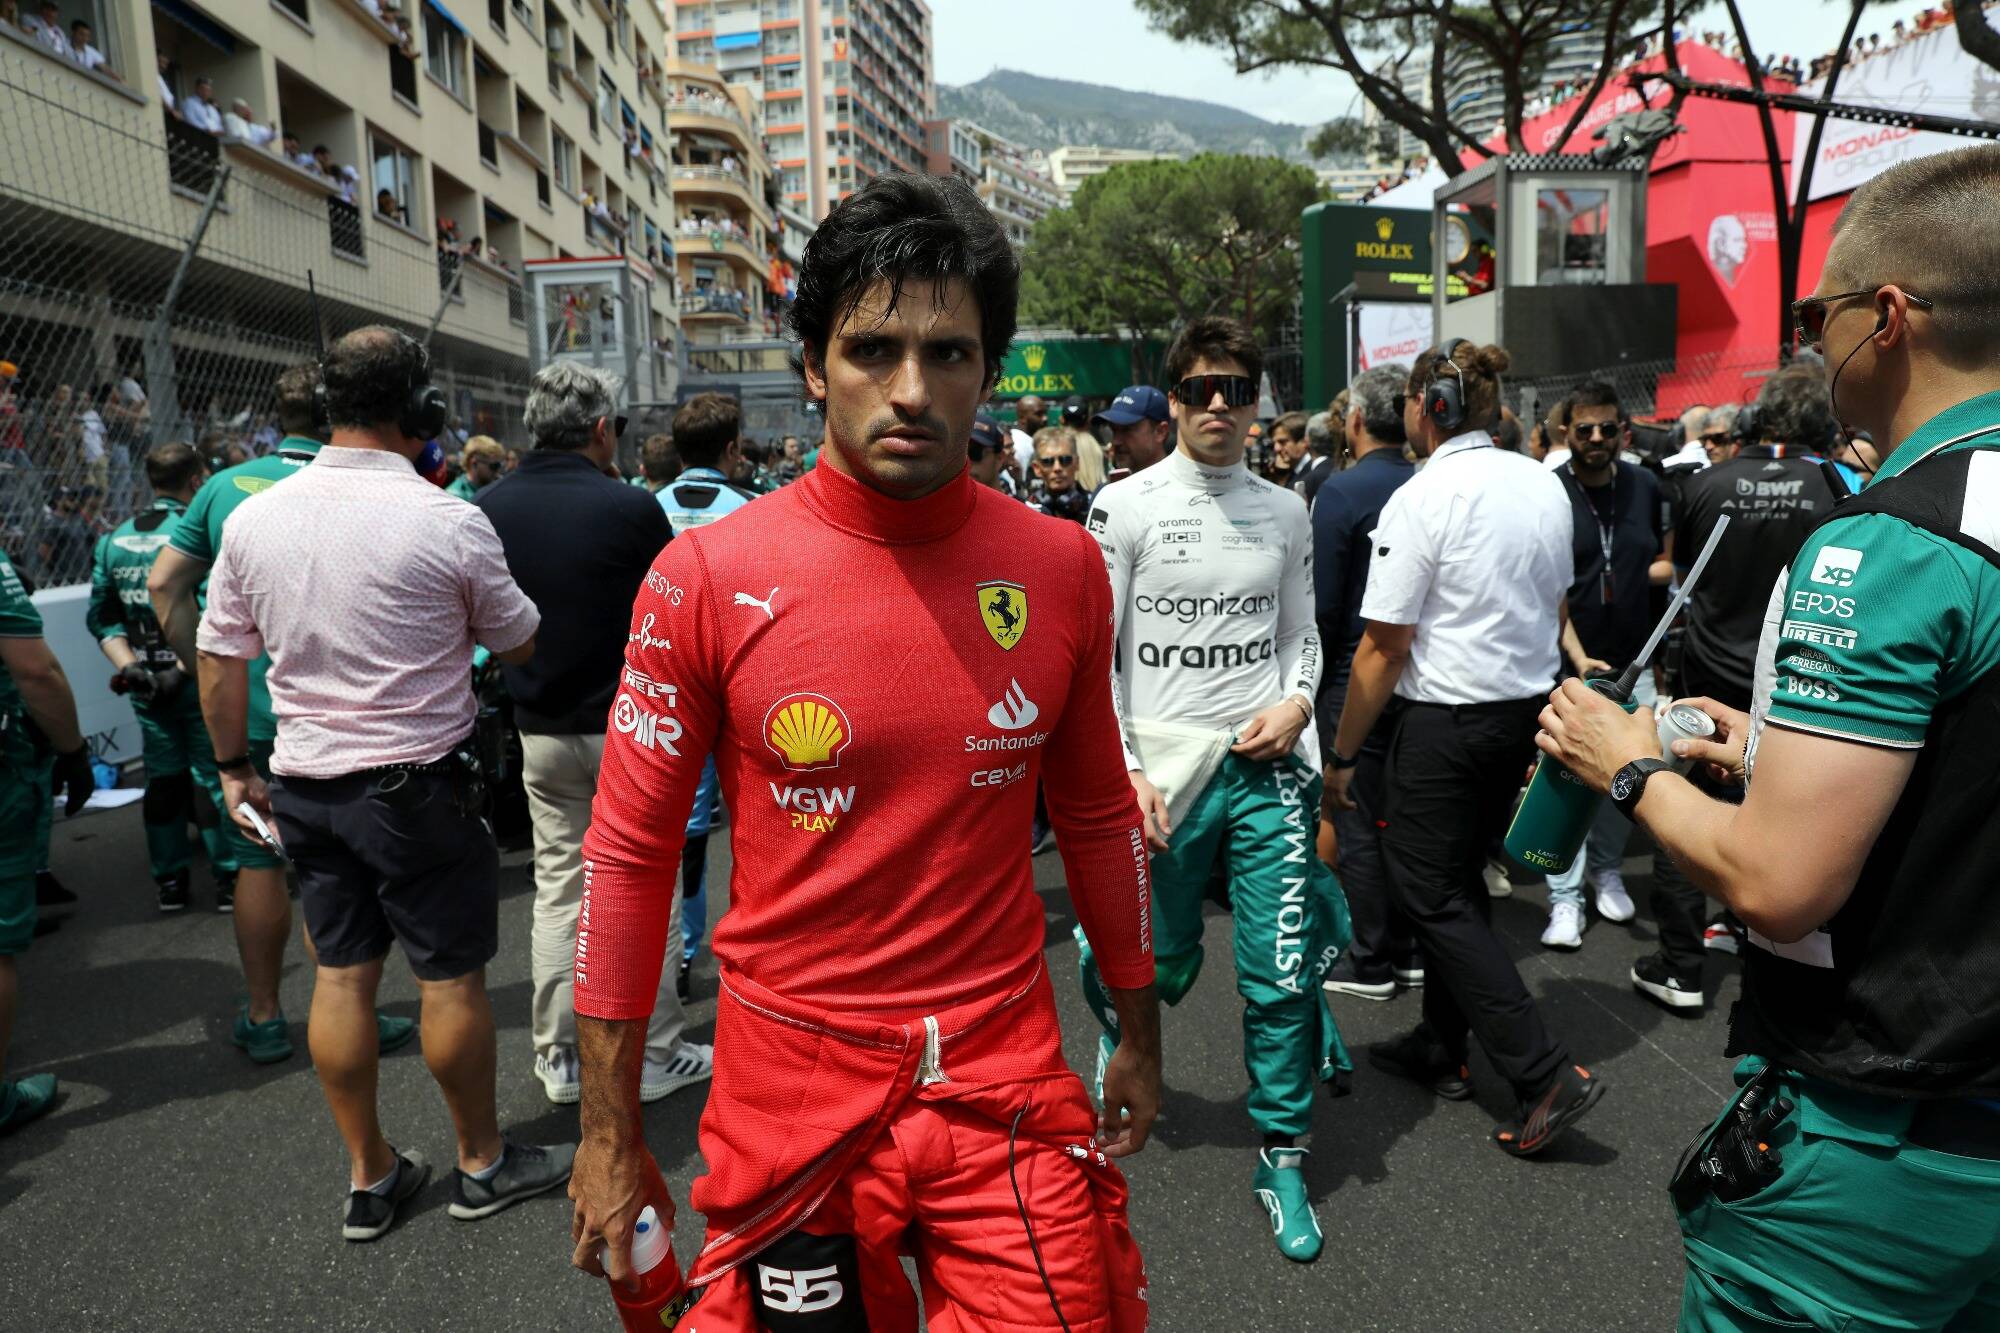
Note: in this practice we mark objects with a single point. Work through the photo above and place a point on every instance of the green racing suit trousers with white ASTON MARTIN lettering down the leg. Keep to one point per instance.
(1255, 824)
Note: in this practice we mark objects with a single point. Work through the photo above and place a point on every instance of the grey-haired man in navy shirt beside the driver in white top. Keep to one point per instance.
(1343, 529)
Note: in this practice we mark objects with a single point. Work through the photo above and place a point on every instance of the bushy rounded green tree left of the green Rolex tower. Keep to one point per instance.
(1151, 245)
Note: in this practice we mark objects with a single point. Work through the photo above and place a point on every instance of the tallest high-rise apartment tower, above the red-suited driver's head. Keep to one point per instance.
(845, 85)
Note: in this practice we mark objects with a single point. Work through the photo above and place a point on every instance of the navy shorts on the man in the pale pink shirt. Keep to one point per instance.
(393, 858)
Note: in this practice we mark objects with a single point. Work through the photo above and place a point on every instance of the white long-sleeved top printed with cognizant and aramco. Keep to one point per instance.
(1211, 575)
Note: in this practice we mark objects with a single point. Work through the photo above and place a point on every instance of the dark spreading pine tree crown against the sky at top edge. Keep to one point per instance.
(1379, 43)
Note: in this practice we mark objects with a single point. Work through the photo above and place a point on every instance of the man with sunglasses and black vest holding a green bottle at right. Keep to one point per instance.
(1863, 1184)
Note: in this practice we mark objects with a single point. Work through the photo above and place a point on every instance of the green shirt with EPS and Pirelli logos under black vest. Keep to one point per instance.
(1881, 621)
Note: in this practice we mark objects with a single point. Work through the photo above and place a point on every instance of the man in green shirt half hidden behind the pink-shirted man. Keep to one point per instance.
(181, 569)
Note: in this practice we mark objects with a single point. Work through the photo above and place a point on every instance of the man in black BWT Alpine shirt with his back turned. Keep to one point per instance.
(1773, 495)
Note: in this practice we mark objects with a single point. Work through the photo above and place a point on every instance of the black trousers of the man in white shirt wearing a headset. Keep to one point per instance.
(1451, 784)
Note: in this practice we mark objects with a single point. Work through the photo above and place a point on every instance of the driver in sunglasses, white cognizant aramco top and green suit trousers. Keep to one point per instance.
(1219, 661)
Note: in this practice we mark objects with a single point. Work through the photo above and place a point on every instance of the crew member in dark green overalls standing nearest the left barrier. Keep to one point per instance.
(163, 696)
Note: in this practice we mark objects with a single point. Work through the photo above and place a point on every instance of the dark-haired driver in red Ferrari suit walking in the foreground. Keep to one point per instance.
(885, 659)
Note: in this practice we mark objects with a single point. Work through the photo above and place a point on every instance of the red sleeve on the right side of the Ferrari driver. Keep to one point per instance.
(1091, 800)
